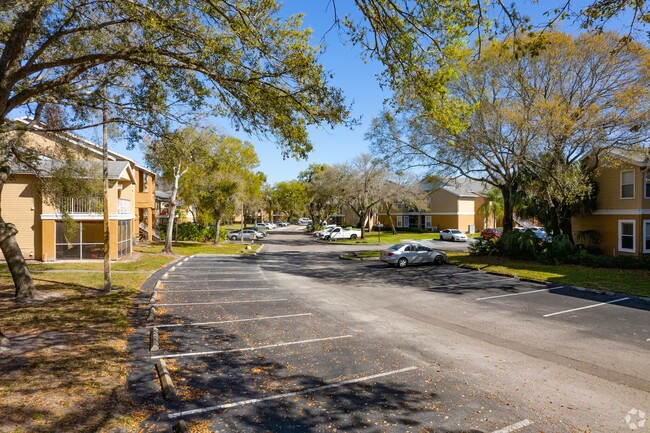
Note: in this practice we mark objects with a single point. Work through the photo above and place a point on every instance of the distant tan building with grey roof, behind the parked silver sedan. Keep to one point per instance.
(452, 205)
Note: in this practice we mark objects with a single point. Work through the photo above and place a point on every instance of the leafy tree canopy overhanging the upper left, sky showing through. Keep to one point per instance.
(163, 57)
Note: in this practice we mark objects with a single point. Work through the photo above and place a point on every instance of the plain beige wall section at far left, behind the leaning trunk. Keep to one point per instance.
(21, 206)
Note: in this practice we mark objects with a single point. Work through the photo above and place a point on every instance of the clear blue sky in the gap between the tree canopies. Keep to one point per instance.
(356, 78)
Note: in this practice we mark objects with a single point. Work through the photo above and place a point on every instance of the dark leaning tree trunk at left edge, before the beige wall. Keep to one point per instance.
(23, 282)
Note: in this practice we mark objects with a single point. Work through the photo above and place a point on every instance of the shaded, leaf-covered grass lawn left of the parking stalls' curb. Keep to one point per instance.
(65, 368)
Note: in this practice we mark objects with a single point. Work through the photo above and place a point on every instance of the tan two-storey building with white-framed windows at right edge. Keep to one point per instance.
(620, 225)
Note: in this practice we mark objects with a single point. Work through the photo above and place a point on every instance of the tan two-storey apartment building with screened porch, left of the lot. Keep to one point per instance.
(42, 233)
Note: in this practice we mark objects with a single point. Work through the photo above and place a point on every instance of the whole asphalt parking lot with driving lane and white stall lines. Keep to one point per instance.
(297, 340)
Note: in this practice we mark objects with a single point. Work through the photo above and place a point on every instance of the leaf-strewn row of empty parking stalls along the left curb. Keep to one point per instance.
(245, 356)
